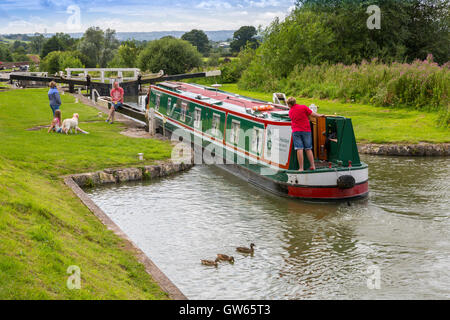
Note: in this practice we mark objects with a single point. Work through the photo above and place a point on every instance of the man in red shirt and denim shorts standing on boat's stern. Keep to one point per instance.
(301, 131)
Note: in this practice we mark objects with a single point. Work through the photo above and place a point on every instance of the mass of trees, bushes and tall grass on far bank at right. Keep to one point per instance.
(320, 50)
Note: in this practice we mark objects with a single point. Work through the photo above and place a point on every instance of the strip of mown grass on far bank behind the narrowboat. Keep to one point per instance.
(373, 124)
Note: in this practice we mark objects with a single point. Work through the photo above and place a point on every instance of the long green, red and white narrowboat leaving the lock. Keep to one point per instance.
(253, 140)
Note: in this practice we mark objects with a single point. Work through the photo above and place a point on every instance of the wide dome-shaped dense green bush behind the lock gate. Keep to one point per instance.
(174, 56)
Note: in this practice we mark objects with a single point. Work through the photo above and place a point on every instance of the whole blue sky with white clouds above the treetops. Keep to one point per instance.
(71, 16)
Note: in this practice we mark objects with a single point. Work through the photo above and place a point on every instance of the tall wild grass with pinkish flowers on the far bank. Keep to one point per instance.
(421, 85)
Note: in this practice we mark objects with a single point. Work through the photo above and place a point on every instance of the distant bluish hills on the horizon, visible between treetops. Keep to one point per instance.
(220, 35)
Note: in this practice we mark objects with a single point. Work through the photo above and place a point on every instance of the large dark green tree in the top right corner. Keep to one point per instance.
(410, 29)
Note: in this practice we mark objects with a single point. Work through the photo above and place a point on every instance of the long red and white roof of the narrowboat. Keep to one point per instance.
(227, 100)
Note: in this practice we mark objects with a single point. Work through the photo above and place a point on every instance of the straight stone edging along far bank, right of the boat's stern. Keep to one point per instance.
(421, 149)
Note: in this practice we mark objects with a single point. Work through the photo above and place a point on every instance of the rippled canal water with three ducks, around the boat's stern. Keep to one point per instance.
(393, 245)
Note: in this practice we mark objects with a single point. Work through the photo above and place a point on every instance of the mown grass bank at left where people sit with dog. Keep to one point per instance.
(44, 227)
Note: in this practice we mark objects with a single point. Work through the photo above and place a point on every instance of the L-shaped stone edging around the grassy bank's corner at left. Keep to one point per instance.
(77, 181)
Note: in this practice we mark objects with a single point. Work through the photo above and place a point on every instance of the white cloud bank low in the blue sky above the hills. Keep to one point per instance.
(138, 18)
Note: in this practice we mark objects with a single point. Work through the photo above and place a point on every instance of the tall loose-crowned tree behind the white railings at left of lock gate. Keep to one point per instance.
(98, 46)
